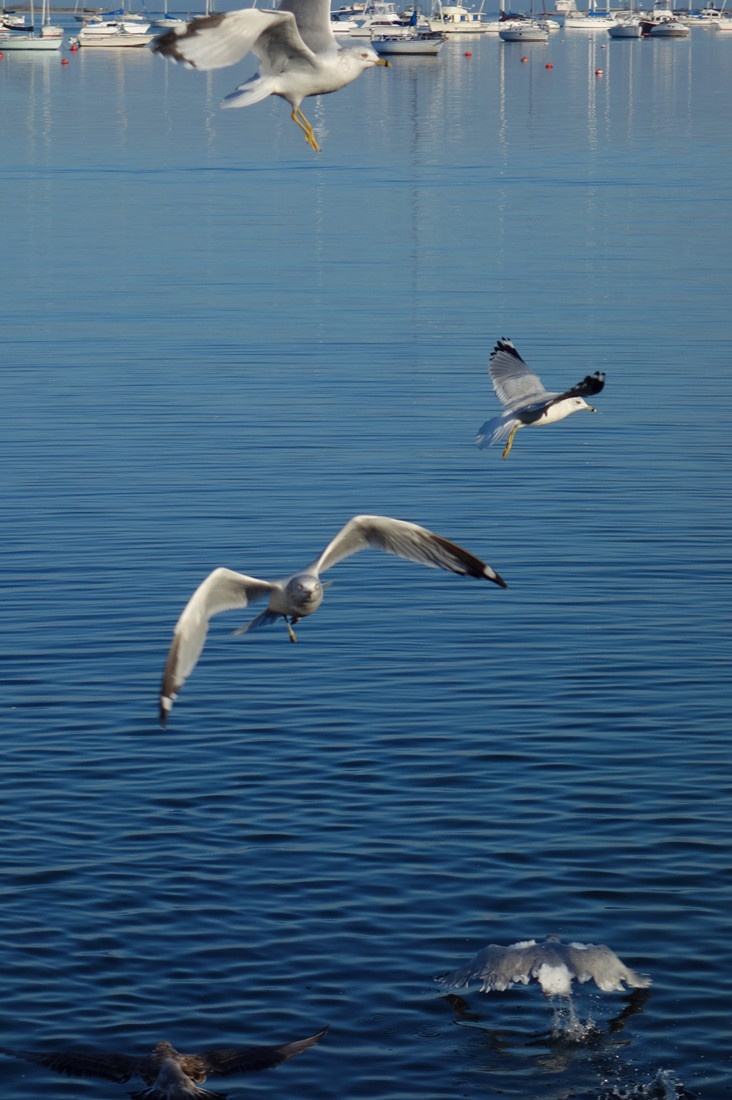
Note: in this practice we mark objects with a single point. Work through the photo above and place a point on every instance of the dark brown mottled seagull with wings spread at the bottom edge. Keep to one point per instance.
(169, 1074)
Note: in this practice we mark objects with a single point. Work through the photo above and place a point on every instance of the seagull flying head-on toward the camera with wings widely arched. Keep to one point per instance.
(302, 593)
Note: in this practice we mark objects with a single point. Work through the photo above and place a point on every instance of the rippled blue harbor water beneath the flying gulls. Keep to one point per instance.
(217, 347)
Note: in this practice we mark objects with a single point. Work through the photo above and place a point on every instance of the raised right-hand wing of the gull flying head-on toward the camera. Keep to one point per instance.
(406, 541)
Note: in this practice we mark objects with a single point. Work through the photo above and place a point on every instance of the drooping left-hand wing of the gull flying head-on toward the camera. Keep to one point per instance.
(222, 591)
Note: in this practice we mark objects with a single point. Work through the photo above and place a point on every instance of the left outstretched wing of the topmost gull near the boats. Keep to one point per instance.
(218, 41)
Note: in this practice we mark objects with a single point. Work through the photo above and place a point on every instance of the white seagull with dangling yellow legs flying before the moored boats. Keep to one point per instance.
(297, 49)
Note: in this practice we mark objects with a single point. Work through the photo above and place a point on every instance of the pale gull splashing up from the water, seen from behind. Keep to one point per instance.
(551, 963)
